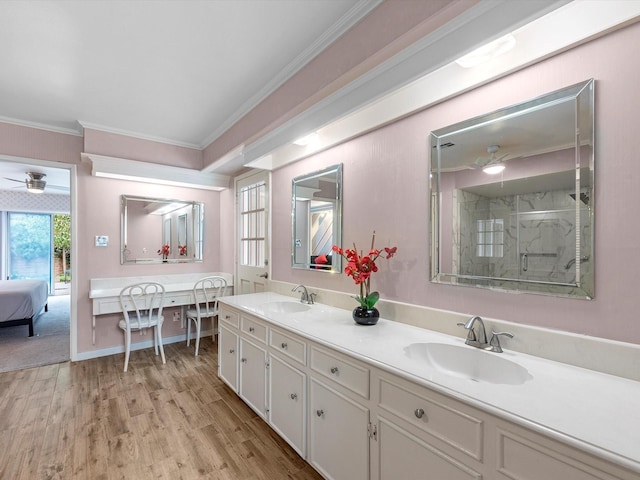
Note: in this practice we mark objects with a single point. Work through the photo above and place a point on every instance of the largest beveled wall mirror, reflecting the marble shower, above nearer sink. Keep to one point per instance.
(512, 197)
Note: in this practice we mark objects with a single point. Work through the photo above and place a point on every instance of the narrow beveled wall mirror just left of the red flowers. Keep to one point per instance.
(317, 220)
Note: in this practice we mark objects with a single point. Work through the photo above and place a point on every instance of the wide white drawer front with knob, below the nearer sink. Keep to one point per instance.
(436, 415)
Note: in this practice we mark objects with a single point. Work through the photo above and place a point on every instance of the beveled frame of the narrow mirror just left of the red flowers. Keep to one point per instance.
(336, 263)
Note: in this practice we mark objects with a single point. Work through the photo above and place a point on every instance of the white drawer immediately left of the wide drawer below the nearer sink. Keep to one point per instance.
(341, 370)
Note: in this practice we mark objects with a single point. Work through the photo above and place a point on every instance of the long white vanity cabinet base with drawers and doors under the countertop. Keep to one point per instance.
(357, 420)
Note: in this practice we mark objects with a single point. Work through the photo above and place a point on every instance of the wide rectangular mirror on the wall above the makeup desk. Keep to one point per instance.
(149, 225)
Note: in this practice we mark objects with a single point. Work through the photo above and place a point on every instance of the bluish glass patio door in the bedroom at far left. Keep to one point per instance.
(30, 245)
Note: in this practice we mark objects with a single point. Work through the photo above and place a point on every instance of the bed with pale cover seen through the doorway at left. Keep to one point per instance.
(21, 301)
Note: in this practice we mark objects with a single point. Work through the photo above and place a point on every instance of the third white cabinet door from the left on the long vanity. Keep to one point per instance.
(287, 402)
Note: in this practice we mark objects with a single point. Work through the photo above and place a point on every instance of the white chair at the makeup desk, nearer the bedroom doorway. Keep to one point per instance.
(141, 305)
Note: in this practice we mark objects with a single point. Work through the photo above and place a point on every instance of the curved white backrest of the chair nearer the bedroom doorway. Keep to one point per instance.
(142, 301)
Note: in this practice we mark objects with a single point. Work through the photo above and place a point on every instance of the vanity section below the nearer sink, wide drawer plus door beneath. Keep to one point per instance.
(421, 431)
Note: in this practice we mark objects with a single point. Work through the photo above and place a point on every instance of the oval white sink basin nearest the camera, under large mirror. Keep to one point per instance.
(469, 362)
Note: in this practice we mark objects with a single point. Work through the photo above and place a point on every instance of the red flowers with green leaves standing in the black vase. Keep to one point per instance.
(360, 267)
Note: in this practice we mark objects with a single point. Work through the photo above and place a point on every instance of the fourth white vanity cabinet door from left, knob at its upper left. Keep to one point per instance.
(339, 442)
